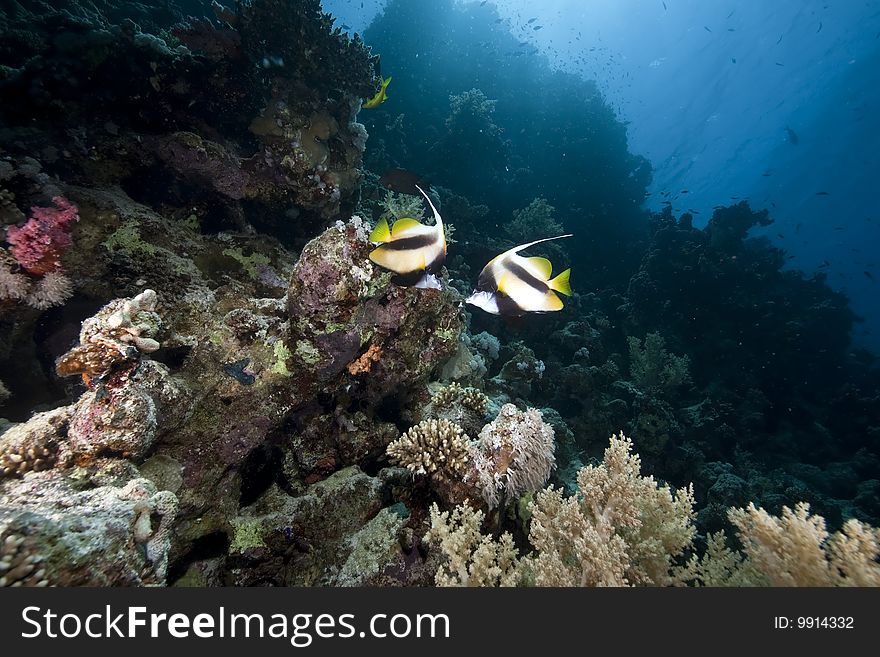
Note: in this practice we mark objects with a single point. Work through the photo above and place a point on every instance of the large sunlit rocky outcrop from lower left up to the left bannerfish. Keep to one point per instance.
(262, 400)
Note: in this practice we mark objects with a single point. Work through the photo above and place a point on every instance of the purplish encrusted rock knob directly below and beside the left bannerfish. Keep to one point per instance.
(346, 316)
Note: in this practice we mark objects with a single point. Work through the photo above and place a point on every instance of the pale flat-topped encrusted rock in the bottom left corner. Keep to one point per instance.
(54, 531)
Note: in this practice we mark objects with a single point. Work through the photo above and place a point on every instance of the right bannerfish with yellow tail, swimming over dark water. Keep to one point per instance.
(513, 285)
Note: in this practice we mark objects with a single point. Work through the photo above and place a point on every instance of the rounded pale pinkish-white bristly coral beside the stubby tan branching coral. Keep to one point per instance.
(515, 454)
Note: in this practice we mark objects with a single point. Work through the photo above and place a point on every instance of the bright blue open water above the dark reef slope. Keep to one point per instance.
(707, 89)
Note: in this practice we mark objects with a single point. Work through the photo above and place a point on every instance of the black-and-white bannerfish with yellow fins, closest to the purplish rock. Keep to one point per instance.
(412, 250)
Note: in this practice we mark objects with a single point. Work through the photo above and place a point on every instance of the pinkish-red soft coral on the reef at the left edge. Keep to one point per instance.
(38, 245)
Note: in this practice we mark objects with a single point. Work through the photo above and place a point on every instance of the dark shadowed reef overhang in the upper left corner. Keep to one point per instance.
(234, 108)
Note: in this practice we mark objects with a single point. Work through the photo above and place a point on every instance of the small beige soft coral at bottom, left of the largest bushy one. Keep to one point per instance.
(470, 558)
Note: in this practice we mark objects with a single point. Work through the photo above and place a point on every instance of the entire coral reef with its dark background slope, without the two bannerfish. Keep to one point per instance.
(177, 197)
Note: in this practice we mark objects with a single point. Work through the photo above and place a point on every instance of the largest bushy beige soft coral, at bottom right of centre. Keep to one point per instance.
(619, 529)
